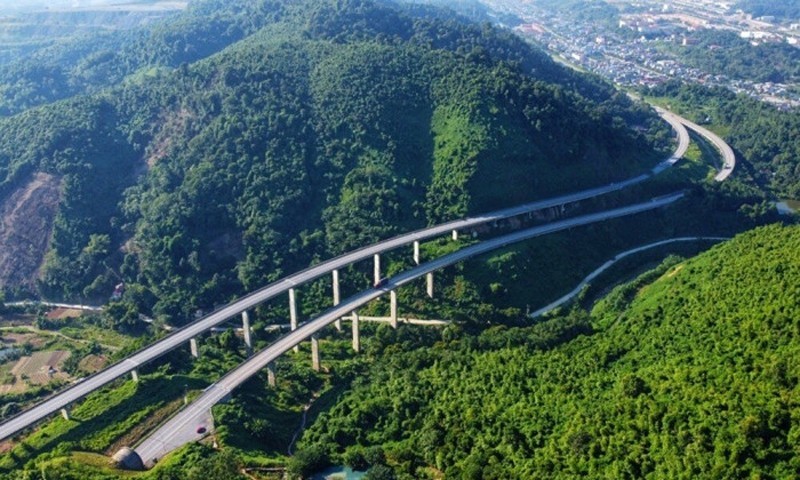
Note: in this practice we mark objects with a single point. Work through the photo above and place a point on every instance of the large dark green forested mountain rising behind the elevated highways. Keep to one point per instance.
(241, 140)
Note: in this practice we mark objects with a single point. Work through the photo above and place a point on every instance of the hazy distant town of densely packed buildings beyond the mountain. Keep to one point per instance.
(629, 50)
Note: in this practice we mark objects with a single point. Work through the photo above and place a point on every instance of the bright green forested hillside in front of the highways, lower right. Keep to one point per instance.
(691, 371)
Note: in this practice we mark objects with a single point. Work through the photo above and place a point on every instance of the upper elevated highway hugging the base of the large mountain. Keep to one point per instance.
(185, 334)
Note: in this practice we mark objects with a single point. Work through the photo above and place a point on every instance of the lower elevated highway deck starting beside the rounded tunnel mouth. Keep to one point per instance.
(182, 427)
